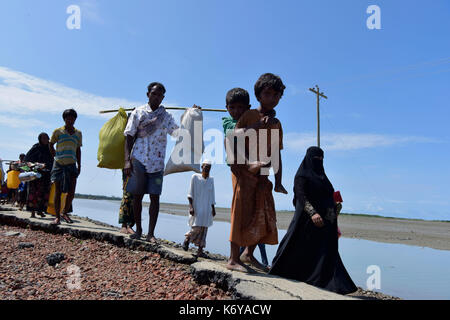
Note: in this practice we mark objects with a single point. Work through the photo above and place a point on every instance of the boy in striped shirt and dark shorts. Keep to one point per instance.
(65, 172)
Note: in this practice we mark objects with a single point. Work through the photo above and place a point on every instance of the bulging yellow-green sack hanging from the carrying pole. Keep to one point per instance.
(111, 149)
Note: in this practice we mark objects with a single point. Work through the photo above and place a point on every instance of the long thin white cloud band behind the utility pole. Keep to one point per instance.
(349, 141)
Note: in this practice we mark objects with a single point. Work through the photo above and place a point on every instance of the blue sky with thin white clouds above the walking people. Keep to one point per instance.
(384, 127)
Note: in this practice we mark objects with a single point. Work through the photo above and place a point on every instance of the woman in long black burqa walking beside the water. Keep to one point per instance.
(309, 250)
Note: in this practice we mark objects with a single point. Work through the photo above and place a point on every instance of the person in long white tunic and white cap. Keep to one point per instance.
(201, 208)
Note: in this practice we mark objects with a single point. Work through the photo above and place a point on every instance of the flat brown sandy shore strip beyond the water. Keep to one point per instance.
(432, 234)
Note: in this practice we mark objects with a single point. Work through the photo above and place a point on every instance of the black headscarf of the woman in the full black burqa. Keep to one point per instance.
(319, 189)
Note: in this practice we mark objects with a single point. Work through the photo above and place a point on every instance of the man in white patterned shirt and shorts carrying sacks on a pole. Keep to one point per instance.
(145, 149)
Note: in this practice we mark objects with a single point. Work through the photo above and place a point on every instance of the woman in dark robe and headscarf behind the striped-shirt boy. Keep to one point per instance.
(40, 188)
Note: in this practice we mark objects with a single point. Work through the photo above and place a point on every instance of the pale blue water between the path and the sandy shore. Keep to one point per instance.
(406, 271)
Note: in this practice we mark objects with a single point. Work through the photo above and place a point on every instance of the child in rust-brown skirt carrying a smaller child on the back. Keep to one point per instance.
(253, 216)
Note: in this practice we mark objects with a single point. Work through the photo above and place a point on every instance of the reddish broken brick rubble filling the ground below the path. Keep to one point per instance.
(103, 271)
